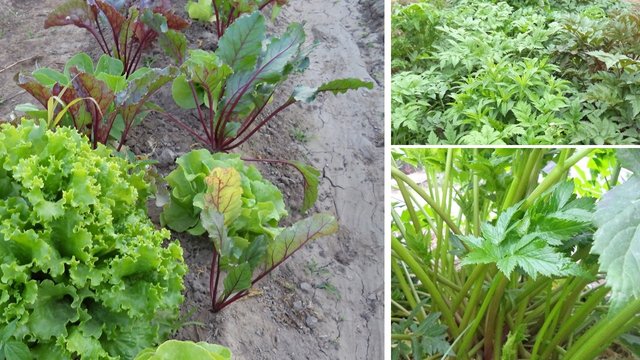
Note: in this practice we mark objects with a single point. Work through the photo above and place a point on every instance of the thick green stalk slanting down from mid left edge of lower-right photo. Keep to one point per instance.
(419, 272)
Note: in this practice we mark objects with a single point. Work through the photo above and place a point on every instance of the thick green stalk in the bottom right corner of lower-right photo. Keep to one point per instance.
(603, 333)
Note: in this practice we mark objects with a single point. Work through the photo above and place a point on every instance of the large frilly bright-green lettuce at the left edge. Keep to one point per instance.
(83, 271)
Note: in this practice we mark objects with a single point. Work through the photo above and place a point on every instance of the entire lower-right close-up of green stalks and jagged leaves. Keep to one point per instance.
(515, 254)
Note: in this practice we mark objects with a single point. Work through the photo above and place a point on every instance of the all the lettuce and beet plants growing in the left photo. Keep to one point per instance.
(84, 273)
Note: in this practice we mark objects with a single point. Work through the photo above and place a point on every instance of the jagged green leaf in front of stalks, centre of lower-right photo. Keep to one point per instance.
(532, 242)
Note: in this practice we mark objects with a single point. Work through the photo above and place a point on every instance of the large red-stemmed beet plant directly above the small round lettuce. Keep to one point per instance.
(231, 88)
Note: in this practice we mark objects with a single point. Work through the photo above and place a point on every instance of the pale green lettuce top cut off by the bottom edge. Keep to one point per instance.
(174, 349)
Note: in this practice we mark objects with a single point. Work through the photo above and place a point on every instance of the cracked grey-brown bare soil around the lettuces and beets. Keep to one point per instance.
(327, 301)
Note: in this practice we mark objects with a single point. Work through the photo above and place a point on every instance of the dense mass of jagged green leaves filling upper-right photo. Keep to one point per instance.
(481, 72)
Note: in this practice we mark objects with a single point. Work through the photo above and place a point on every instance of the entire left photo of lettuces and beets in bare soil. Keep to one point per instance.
(173, 179)
